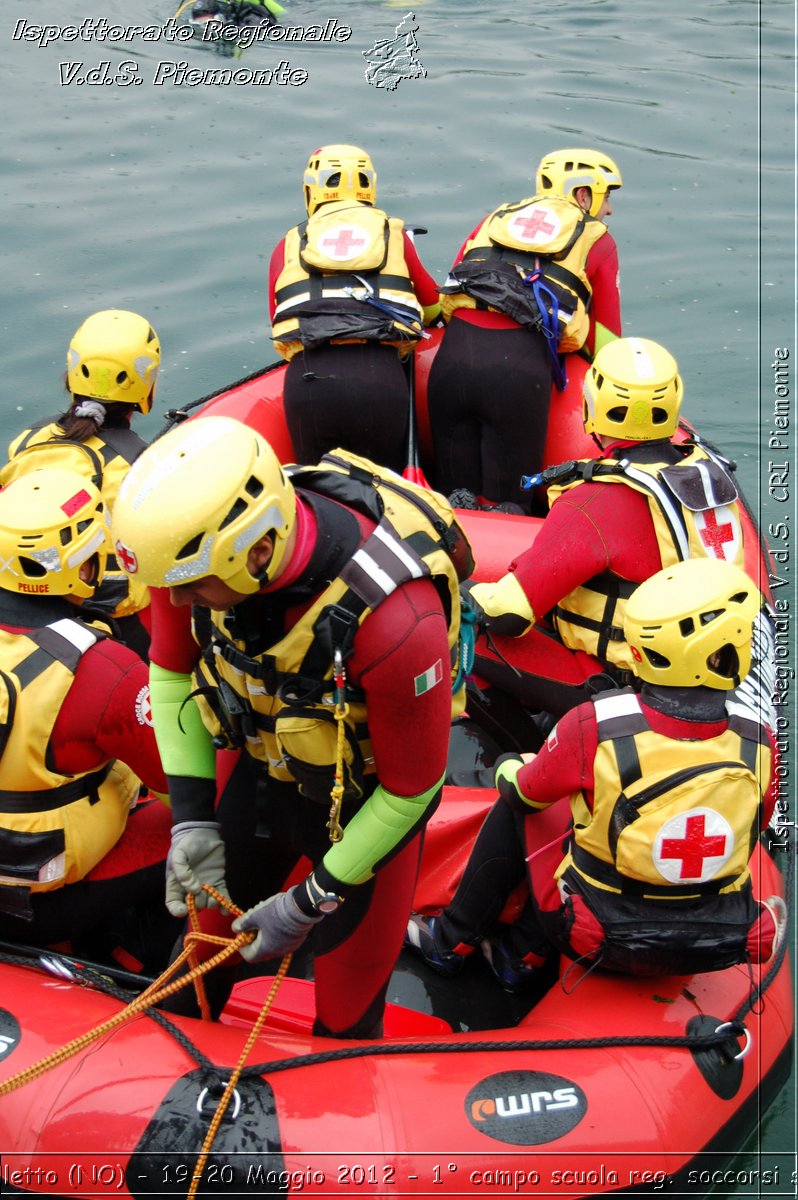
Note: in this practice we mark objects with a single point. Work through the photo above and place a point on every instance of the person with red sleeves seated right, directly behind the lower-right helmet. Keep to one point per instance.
(647, 503)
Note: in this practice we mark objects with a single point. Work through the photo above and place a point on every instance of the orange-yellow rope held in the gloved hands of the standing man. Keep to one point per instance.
(166, 986)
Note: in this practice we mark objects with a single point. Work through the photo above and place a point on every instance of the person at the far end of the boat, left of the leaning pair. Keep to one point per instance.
(349, 299)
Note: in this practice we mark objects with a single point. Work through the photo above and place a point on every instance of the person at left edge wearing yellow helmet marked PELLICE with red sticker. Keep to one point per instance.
(80, 856)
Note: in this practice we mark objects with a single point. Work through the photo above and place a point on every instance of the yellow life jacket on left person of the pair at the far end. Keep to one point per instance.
(345, 280)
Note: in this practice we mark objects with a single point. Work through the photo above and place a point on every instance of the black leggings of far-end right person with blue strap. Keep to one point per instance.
(489, 398)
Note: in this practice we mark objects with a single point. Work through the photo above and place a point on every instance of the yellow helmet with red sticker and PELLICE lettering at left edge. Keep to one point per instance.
(52, 521)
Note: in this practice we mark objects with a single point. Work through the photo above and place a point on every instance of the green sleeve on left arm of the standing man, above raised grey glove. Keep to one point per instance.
(184, 743)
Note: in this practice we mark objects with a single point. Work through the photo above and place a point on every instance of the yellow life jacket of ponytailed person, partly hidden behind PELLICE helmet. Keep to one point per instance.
(105, 459)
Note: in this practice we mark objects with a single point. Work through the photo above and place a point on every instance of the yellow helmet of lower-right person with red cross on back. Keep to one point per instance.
(693, 623)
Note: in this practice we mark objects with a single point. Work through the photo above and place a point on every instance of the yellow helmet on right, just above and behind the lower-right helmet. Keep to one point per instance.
(633, 391)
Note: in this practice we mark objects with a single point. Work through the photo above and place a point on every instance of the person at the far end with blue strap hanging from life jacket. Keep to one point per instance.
(536, 280)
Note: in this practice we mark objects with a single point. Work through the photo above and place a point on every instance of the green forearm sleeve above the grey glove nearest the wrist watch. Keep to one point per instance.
(382, 824)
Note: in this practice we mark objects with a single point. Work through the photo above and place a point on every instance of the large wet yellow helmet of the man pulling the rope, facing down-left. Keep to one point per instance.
(196, 502)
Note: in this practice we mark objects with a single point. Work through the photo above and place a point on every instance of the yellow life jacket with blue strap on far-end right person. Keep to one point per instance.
(526, 257)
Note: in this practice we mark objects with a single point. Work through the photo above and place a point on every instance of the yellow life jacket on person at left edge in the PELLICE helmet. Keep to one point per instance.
(53, 829)
